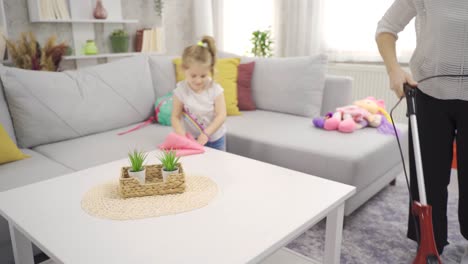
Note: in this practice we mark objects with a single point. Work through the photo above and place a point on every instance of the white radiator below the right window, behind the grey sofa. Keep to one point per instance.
(371, 80)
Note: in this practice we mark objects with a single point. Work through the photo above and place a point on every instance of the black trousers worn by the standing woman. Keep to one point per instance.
(439, 123)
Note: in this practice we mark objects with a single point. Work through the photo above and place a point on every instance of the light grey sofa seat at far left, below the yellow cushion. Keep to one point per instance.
(34, 169)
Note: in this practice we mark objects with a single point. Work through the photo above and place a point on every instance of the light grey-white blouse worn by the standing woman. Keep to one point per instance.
(442, 43)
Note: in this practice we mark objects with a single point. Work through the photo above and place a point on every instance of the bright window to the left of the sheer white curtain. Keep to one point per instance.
(241, 18)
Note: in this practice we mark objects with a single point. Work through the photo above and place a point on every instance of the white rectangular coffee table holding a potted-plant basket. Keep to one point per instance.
(259, 209)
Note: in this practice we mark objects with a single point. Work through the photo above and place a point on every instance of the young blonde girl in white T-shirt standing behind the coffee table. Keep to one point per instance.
(198, 104)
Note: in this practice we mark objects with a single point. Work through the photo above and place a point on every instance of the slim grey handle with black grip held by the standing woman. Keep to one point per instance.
(410, 93)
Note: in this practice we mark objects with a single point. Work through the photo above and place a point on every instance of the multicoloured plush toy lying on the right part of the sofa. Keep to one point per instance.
(368, 112)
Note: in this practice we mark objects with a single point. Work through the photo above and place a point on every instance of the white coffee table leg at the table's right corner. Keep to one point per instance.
(333, 235)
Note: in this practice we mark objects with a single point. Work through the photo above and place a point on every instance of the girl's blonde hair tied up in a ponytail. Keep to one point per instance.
(203, 52)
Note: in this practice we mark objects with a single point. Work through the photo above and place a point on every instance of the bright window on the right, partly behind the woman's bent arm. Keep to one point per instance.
(349, 30)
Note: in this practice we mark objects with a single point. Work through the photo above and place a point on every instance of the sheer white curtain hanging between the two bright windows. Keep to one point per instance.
(298, 27)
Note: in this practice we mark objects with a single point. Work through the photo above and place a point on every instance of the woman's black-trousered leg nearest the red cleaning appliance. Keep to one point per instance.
(436, 133)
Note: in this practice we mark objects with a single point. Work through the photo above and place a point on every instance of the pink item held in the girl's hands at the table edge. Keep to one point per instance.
(183, 145)
